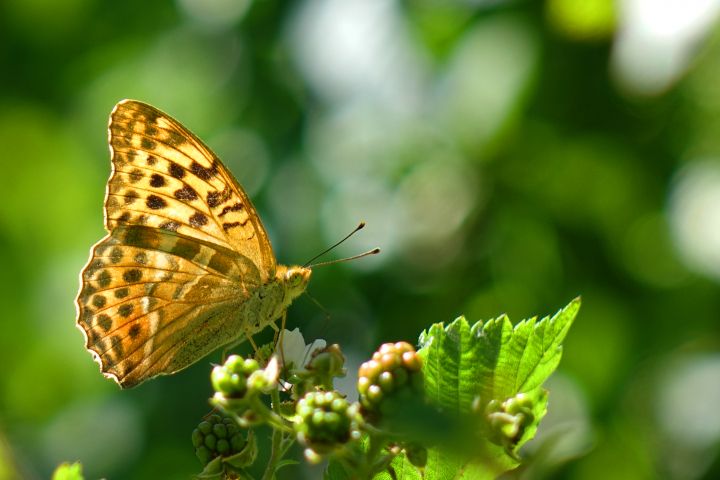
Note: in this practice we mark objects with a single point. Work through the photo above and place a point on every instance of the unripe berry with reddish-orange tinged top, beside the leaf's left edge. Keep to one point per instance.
(394, 368)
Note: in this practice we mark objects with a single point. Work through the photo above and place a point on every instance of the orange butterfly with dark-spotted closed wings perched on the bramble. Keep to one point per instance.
(186, 266)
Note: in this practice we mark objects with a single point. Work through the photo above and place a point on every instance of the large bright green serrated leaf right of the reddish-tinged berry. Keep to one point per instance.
(466, 367)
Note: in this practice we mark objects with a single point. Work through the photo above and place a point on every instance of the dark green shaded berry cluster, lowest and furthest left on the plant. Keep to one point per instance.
(217, 437)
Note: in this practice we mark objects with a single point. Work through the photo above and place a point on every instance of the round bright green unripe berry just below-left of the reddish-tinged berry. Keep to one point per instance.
(326, 420)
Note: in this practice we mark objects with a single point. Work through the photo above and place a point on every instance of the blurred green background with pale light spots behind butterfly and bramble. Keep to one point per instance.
(507, 156)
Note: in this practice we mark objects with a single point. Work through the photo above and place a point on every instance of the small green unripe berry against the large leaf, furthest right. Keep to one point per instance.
(509, 419)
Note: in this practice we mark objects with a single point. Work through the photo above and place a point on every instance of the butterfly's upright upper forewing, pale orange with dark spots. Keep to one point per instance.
(165, 177)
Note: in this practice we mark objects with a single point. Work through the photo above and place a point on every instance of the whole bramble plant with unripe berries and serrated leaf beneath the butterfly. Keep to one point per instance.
(461, 406)
